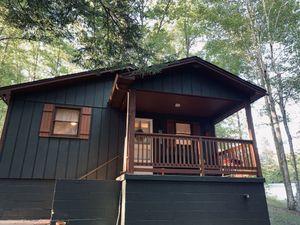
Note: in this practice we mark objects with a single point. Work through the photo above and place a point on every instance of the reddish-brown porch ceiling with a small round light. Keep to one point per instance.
(205, 107)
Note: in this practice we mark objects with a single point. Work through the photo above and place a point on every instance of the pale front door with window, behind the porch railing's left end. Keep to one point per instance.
(143, 150)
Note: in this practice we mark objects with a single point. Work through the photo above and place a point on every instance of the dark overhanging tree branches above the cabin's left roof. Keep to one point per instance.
(104, 33)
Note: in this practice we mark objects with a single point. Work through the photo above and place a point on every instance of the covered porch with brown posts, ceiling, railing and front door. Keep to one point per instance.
(160, 151)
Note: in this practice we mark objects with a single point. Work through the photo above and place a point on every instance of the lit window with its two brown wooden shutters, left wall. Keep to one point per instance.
(65, 122)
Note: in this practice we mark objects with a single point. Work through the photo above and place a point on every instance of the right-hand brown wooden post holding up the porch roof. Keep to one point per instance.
(252, 137)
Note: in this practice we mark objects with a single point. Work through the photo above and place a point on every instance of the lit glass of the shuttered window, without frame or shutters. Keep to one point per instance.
(66, 121)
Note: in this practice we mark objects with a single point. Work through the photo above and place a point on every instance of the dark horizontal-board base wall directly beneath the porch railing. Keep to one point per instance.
(188, 200)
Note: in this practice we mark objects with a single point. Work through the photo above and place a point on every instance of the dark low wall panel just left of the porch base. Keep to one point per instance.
(86, 202)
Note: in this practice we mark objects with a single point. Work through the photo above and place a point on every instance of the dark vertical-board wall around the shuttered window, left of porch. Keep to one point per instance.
(26, 155)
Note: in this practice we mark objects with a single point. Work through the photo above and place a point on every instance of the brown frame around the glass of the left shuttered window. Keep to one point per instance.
(52, 134)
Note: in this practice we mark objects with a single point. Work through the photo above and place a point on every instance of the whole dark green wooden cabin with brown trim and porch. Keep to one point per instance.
(121, 147)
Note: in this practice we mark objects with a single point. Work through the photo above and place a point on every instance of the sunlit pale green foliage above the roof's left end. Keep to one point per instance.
(23, 59)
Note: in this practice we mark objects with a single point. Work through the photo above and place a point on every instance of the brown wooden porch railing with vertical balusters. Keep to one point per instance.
(180, 154)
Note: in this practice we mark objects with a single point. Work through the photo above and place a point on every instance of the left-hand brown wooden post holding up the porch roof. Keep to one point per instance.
(130, 119)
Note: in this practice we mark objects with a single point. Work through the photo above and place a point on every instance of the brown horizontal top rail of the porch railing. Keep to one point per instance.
(192, 137)
